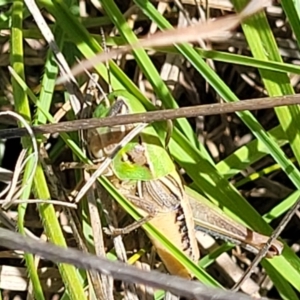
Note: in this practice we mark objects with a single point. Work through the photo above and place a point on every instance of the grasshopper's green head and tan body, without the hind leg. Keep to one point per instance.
(155, 189)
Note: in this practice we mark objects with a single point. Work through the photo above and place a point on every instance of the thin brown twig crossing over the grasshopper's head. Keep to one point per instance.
(153, 116)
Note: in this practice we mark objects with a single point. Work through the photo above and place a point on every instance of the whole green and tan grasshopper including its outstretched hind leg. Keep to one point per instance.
(144, 173)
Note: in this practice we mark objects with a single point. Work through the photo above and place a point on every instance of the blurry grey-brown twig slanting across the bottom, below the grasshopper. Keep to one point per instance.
(118, 270)
